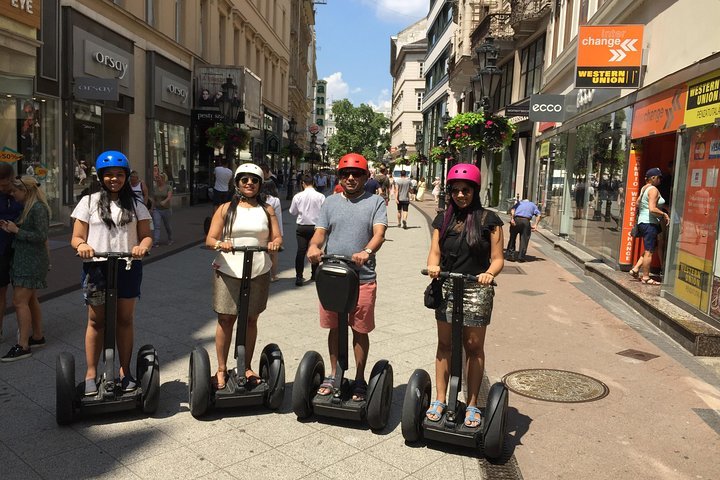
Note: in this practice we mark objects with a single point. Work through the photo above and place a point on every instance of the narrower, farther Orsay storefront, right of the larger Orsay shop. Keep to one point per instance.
(169, 123)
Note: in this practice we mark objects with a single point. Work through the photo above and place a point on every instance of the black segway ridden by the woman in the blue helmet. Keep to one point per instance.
(70, 399)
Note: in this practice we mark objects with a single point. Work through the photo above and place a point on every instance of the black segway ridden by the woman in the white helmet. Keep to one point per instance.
(238, 392)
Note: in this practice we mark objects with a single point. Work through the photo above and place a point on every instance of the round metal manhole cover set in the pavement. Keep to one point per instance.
(555, 385)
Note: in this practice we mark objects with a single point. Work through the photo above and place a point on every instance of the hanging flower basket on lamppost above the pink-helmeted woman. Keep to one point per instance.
(480, 131)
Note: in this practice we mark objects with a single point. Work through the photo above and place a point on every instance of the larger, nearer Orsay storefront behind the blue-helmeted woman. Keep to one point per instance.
(98, 99)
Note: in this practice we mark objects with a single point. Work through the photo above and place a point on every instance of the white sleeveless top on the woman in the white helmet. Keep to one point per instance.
(251, 228)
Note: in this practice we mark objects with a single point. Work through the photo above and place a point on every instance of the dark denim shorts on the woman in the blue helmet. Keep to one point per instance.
(93, 280)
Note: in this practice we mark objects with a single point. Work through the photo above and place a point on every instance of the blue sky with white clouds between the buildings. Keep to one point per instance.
(353, 46)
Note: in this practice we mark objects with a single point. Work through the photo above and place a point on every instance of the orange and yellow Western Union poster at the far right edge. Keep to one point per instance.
(699, 223)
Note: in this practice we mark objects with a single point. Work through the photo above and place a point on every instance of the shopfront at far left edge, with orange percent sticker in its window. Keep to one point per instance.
(29, 127)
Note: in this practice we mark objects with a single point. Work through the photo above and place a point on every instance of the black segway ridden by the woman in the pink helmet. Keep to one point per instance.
(450, 428)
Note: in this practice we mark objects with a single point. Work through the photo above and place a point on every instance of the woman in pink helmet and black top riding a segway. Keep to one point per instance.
(466, 239)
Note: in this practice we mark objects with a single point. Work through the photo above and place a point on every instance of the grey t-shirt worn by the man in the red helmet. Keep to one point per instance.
(349, 223)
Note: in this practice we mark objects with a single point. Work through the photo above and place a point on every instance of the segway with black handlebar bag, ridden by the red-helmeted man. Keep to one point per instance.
(338, 287)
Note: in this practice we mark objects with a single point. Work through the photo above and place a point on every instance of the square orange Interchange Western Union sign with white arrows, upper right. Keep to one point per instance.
(609, 56)
